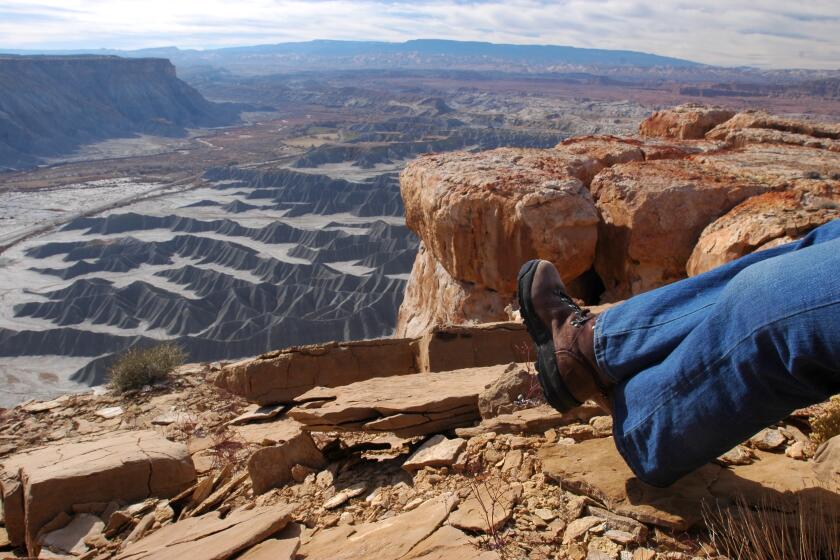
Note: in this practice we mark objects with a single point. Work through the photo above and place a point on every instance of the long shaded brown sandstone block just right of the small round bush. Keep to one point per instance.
(278, 377)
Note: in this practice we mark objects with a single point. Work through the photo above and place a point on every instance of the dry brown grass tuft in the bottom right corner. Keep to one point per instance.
(809, 532)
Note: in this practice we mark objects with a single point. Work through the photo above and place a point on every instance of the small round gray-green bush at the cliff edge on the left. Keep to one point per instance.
(139, 367)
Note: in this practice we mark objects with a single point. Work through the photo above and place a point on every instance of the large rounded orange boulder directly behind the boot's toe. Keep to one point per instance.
(482, 215)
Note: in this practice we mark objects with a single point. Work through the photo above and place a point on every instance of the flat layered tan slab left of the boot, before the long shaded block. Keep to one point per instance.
(407, 405)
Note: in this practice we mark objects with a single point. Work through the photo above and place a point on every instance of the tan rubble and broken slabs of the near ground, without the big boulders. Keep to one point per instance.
(189, 467)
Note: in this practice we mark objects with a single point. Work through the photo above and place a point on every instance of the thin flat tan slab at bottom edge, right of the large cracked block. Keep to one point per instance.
(210, 538)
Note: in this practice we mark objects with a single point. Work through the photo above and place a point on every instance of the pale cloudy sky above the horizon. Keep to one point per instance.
(764, 33)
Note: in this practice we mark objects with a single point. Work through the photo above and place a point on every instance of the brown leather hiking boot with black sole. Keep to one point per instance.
(564, 335)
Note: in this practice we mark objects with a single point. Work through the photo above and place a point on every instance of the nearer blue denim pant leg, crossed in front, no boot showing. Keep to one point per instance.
(770, 344)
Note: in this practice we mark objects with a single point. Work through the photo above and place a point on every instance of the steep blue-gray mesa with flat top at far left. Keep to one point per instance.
(50, 105)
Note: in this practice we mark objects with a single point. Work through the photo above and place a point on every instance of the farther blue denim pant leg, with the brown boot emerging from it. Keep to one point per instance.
(642, 331)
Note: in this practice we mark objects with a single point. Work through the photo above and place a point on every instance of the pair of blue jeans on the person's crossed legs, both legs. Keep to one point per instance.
(702, 364)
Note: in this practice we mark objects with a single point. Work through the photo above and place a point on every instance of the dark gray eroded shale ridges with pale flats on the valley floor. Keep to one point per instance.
(219, 288)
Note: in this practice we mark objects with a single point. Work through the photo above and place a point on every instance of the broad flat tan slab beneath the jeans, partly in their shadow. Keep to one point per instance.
(596, 469)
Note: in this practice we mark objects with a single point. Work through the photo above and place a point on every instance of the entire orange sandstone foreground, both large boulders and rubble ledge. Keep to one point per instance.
(435, 444)
